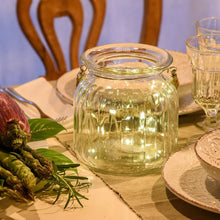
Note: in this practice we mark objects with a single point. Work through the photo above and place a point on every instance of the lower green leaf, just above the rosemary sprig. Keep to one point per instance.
(58, 158)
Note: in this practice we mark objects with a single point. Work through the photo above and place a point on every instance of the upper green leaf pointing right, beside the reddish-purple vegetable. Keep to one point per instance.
(42, 129)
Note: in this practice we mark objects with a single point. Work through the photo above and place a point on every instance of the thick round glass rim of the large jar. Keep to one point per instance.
(158, 58)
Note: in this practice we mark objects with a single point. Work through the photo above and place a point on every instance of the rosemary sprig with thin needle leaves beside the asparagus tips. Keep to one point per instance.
(66, 184)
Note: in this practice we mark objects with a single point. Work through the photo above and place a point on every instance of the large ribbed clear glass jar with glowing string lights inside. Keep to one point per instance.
(125, 109)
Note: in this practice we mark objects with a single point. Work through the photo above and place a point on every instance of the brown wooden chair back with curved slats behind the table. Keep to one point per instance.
(48, 10)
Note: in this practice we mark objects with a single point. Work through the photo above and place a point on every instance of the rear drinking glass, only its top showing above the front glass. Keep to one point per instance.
(209, 25)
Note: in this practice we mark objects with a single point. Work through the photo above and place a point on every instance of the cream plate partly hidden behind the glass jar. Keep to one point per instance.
(66, 84)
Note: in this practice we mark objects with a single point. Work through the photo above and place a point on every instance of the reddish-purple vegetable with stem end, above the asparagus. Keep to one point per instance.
(14, 127)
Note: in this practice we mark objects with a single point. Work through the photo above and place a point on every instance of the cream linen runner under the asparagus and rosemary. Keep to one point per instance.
(102, 202)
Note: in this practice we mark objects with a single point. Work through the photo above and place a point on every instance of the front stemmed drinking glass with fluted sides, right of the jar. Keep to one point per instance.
(204, 54)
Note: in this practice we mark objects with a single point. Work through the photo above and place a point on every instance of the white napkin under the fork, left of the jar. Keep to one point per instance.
(44, 95)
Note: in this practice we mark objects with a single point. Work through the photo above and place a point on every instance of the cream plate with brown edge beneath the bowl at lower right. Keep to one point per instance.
(185, 177)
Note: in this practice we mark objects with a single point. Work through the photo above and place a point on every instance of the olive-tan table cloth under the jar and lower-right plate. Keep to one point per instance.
(147, 195)
